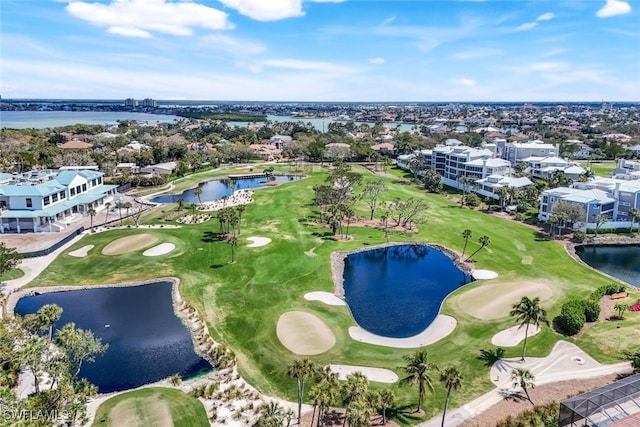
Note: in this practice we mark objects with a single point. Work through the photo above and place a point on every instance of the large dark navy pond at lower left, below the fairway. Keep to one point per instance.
(147, 341)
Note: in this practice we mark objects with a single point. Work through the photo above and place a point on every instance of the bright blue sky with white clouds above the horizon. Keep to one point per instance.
(322, 50)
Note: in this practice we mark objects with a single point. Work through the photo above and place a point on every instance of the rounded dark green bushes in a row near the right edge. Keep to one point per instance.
(575, 312)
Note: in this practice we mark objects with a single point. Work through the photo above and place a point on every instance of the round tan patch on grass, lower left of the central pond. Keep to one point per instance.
(304, 333)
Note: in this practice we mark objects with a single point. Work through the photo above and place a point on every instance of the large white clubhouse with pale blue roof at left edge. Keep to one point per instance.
(48, 200)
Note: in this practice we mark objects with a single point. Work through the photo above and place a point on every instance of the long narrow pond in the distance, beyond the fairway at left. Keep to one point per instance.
(217, 189)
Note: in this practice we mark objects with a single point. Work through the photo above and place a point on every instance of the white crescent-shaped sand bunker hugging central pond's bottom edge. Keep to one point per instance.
(442, 326)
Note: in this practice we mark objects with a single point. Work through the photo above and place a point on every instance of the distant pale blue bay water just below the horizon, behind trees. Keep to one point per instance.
(52, 119)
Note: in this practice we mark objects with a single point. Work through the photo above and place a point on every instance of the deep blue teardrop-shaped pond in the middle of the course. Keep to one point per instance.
(397, 291)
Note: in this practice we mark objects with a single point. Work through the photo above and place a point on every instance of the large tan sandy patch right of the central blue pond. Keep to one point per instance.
(494, 300)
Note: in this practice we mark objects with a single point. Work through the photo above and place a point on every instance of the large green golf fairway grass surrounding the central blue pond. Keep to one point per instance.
(243, 301)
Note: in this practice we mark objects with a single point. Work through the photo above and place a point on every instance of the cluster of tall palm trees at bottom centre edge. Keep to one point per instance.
(354, 395)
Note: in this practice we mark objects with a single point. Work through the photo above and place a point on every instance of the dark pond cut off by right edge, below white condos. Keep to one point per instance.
(619, 261)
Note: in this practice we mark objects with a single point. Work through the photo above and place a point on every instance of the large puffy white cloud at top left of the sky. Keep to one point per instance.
(139, 18)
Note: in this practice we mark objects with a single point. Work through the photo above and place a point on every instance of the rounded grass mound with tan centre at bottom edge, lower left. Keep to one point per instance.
(151, 406)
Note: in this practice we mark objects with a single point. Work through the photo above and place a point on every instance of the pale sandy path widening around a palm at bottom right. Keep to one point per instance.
(565, 362)
